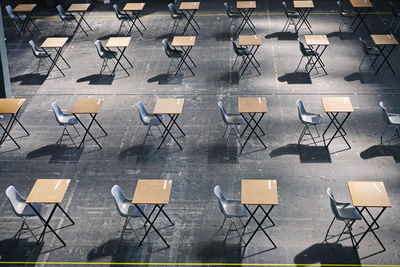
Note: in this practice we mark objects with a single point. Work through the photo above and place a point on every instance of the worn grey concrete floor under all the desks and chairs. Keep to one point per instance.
(303, 173)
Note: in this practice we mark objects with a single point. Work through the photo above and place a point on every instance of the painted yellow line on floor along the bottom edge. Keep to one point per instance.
(200, 264)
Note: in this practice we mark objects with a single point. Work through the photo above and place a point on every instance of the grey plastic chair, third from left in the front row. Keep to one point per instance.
(231, 209)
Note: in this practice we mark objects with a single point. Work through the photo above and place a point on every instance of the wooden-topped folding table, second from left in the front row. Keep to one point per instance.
(153, 192)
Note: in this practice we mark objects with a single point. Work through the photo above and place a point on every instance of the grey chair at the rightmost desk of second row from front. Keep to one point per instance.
(308, 119)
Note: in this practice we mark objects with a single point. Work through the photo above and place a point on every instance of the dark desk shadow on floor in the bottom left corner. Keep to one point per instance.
(20, 250)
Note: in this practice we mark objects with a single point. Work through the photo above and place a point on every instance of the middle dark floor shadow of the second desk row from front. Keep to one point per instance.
(221, 153)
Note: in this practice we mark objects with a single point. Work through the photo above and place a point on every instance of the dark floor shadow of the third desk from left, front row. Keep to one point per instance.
(218, 252)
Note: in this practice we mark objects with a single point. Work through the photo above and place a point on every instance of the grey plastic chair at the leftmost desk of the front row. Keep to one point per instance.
(23, 210)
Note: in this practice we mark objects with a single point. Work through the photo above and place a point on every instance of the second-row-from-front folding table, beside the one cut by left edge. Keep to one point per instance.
(90, 106)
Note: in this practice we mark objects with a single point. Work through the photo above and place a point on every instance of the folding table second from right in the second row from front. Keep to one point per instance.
(252, 106)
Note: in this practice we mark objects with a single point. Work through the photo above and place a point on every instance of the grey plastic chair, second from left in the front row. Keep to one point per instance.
(126, 209)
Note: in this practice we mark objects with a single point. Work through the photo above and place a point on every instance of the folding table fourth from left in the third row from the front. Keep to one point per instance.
(255, 42)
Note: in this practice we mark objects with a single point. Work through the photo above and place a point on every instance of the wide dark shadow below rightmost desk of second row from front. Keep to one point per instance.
(307, 154)
